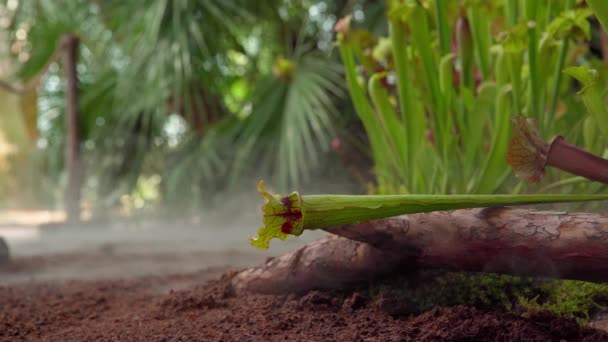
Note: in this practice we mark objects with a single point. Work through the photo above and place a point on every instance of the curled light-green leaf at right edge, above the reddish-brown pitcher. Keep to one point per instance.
(592, 95)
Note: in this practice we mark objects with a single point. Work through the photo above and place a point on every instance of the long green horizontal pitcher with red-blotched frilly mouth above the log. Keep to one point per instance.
(286, 215)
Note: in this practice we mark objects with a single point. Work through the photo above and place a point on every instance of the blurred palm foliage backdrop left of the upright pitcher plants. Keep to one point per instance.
(180, 100)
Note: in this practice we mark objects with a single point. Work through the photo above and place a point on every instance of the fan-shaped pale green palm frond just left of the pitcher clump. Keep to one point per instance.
(292, 120)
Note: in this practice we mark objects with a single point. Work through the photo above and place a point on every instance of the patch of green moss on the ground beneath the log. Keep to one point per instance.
(427, 289)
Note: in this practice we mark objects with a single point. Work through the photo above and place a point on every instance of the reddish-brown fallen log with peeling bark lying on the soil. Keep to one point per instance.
(498, 240)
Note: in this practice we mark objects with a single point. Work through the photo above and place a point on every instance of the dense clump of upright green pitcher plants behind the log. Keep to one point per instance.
(438, 119)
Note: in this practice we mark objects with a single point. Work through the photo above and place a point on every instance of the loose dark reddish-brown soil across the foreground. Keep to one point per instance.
(151, 309)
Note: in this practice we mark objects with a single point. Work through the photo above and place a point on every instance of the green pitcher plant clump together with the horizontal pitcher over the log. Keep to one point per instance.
(438, 109)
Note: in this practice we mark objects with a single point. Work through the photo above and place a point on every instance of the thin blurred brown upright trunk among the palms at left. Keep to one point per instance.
(73, 162)
